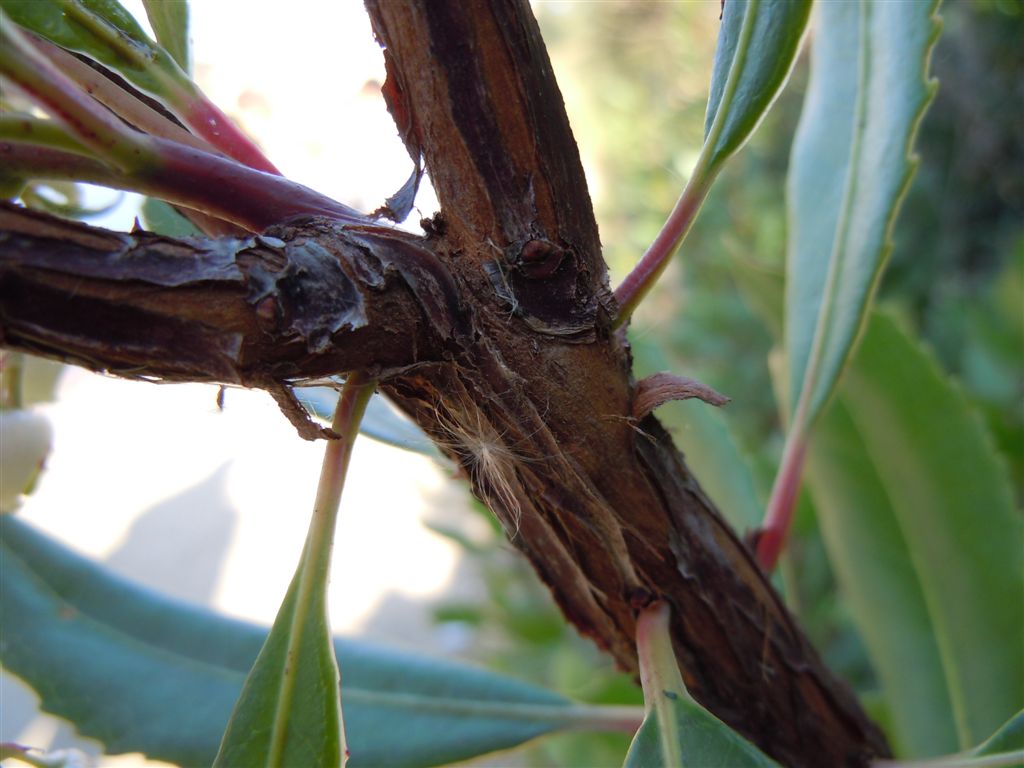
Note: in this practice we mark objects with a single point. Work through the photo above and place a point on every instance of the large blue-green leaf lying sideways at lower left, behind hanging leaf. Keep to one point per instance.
(143, 673)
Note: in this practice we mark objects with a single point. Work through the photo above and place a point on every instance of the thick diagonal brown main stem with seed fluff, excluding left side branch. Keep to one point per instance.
(602, 504)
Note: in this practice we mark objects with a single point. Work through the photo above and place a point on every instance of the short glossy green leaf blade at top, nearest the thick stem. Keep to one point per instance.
(757, 48)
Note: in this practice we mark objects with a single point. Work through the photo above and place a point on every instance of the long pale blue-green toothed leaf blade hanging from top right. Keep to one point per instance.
(850, 168)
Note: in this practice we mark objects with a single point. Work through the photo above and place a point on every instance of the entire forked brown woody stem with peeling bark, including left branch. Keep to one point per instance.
(494, 333)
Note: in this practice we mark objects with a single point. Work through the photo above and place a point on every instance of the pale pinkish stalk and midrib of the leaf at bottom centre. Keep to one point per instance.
(660, 677)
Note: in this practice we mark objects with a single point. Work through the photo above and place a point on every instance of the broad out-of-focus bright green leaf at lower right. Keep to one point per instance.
(917, 514)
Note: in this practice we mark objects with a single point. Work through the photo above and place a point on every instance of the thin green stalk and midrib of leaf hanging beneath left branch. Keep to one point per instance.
(316, 564)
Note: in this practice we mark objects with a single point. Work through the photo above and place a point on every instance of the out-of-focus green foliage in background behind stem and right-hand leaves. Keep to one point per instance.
(635, 79)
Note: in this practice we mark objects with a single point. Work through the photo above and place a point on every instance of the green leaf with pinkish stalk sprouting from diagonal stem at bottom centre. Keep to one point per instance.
(677, 732)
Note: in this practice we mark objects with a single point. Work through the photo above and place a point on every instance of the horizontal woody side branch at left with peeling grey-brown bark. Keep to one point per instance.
(300, 303)
